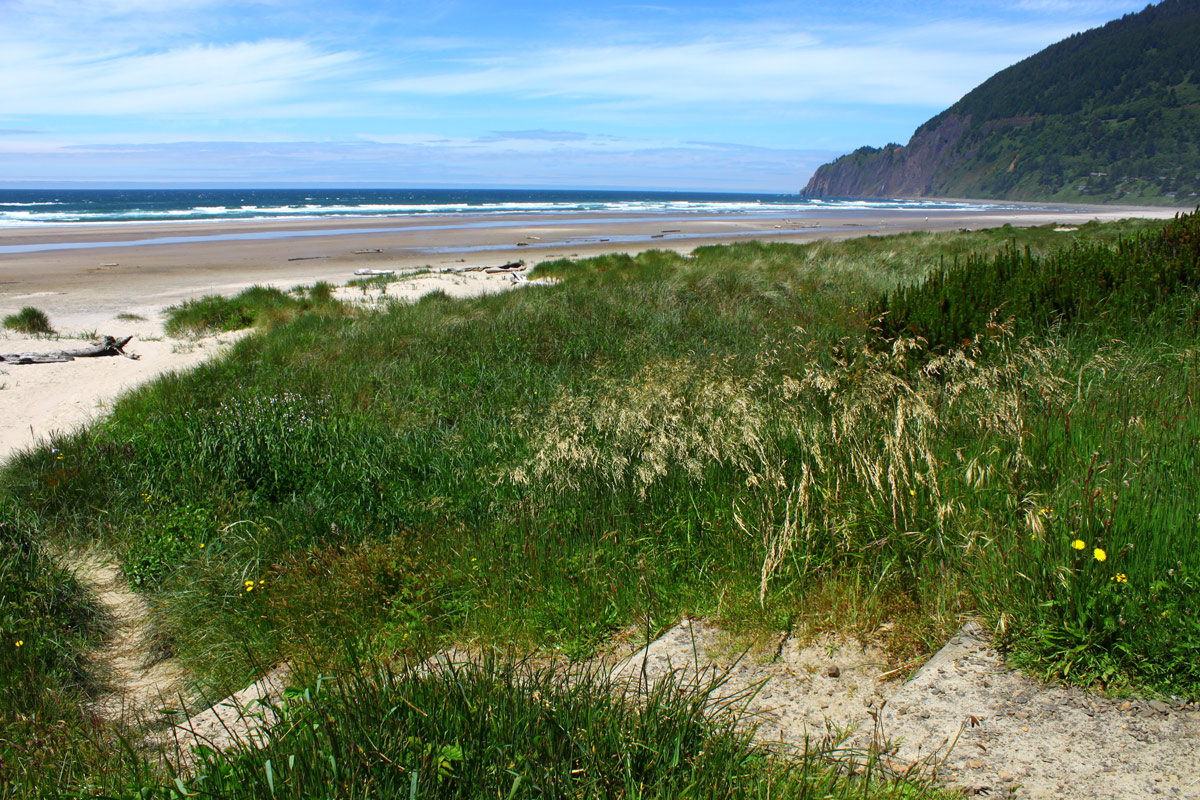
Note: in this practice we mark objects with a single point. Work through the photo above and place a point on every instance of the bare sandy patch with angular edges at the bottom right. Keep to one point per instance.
(980, 725)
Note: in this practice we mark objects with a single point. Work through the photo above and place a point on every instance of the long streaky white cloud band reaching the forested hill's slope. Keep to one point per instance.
(931, 65)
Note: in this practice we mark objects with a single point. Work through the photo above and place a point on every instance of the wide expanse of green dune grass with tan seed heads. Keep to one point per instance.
(735, 435)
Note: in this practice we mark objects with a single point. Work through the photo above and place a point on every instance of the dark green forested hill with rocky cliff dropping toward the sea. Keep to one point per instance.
(1112, 115)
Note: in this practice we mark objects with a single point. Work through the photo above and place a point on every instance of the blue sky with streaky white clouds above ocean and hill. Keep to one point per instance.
(688, 95)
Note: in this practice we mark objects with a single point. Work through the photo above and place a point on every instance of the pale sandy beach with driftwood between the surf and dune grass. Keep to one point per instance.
(85, 276)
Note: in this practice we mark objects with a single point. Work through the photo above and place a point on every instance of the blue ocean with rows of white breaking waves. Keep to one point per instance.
(43, 208)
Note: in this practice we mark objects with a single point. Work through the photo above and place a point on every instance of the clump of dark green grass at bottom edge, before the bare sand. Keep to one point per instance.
(491, 729)
